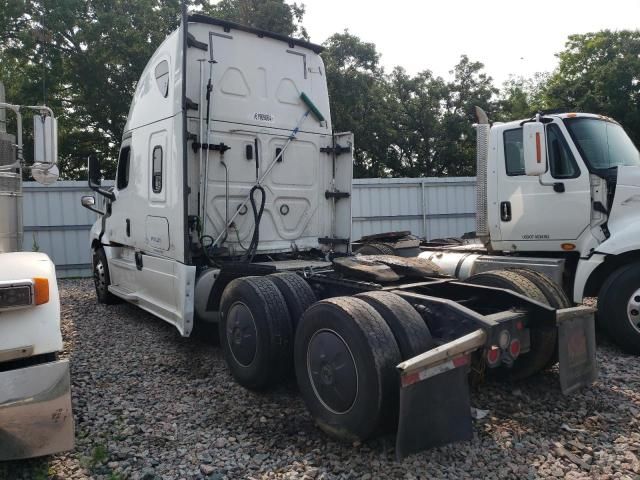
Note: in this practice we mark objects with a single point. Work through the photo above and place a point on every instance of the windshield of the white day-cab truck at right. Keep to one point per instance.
(602, 144)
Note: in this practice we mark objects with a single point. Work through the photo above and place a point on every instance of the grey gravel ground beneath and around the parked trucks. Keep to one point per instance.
(149, 404)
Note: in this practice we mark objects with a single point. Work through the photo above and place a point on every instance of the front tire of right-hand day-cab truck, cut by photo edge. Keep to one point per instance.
(619, 307)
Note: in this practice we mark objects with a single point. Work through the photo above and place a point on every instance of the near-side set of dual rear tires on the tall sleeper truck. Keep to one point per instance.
(343, 350)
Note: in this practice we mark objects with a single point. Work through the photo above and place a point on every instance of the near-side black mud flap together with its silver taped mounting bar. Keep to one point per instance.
(435, 407)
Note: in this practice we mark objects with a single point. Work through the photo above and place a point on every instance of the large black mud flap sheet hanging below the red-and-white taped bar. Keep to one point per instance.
(435, 407)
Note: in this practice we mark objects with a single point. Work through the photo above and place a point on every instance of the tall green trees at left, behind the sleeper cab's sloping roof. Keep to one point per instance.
(91, 54)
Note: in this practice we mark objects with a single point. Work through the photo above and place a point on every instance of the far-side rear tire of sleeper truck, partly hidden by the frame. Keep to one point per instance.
(543, 339)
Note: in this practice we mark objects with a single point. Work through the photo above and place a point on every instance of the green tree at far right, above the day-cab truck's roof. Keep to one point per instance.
(600, 73)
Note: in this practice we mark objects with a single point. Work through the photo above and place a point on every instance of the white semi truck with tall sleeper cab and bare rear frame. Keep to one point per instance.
(232, 205)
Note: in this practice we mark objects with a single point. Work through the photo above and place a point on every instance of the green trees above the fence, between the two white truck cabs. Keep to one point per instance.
(403, 125)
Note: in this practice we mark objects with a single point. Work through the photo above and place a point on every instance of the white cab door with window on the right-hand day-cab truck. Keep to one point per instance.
(540, 213)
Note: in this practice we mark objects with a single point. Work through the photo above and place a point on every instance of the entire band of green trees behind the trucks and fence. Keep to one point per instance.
(91, 54)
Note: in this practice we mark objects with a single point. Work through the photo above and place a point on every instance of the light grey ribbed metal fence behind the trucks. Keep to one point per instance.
(56, 223)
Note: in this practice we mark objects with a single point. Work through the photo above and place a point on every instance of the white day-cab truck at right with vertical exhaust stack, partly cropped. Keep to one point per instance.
(558, 193)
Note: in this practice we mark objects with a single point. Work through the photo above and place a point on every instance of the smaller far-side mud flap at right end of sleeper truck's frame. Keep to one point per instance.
(576, 348)
